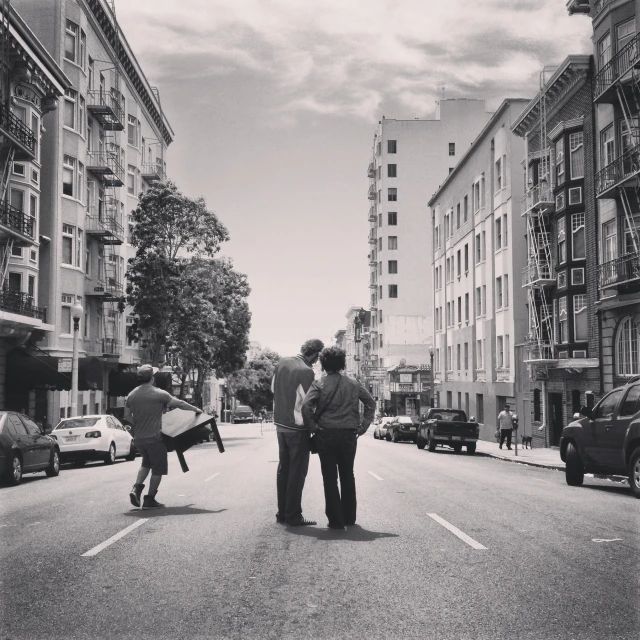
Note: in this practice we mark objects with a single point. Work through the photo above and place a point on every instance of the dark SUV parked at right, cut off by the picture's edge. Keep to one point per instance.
(606, 440)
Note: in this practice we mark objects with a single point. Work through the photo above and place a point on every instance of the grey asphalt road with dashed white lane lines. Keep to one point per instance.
(532, 558)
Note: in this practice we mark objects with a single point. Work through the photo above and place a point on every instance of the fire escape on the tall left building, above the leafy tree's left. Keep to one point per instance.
(104, 209)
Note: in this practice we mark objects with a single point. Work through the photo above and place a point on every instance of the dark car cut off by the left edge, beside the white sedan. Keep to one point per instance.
(24, 448)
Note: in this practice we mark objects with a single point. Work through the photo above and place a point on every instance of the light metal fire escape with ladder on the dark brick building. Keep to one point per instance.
(538, 275)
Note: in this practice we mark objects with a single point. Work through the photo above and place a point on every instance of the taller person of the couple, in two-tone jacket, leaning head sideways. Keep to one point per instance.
(291, 380)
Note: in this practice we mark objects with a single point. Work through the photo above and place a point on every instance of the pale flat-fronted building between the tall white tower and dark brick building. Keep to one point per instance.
(478, 252)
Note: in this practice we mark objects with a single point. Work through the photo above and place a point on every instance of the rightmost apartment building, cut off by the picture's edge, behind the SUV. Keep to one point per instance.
(616, 102)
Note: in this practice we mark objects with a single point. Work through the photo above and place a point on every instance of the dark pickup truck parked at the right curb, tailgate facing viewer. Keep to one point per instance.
(448, 427)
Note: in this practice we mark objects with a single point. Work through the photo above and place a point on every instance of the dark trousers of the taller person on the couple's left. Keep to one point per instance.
(292, 471)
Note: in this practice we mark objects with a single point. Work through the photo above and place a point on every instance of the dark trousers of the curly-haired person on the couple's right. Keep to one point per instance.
(337, 452)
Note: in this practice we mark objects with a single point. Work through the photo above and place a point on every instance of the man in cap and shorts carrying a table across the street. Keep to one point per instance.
(144, 407)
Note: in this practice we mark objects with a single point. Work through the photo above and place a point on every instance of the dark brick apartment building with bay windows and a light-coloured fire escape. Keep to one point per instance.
(560, 275)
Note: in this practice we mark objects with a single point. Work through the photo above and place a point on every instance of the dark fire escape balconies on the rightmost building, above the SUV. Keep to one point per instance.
(618, 83)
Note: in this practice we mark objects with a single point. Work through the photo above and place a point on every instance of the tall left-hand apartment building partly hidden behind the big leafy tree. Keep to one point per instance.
(104, 145)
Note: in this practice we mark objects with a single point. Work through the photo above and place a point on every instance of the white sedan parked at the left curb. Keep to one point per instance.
(98, 437)
